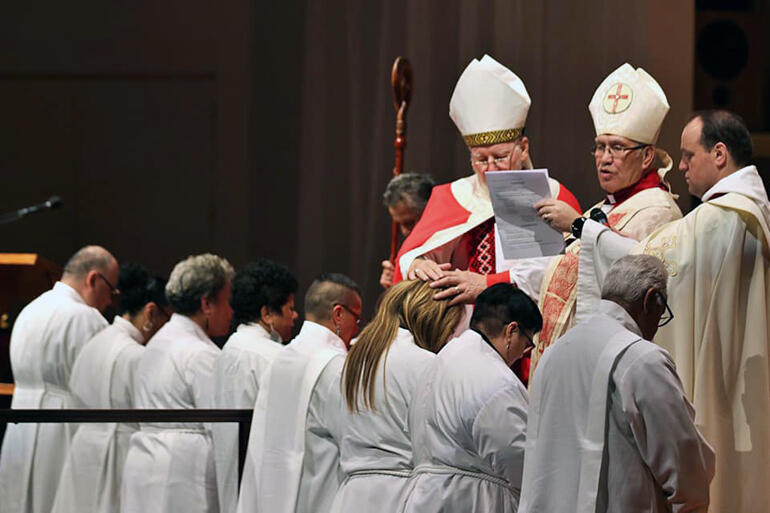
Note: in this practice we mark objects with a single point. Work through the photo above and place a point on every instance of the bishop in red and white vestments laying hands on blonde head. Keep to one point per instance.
(455, 238)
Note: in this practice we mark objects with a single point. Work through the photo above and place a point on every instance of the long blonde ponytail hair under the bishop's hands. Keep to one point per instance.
(410, 305)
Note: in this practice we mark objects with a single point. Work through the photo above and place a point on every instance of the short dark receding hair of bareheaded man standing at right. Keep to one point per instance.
(729, 129)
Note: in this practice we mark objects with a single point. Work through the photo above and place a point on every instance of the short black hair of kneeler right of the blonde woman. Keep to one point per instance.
(502, 304)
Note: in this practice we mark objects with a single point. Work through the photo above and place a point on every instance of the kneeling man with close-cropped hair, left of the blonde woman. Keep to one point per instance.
(292, 463)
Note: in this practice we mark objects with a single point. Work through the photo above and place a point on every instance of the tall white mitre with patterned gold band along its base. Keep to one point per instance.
(489, 104)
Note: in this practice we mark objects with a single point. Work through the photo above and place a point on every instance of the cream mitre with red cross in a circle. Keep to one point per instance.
(629, 103)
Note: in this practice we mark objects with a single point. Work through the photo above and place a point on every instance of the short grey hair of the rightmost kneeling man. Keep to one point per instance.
(630, 277)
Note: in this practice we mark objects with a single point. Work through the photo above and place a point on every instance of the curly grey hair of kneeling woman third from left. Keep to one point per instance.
(196, 277)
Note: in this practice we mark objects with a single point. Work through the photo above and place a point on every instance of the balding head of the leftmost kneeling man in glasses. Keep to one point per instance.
(93, 272)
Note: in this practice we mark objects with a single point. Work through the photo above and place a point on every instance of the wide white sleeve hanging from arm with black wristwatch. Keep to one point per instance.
(599, 248)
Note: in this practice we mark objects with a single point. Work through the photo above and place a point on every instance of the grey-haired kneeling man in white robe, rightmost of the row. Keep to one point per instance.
(610, 428)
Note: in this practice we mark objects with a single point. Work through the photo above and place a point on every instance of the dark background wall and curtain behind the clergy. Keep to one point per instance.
(266, 128)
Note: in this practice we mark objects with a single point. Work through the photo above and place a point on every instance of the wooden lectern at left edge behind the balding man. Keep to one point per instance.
(23, 277)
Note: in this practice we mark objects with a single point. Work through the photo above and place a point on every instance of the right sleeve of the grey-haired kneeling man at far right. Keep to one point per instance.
(662, 422)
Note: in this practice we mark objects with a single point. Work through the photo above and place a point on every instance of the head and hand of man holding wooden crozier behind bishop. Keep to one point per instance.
(405, 197)
